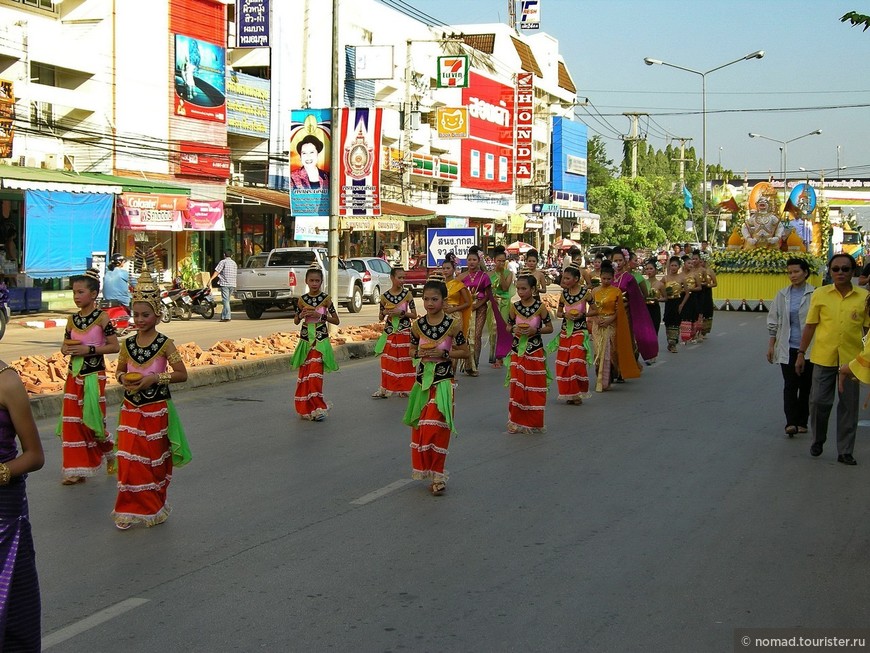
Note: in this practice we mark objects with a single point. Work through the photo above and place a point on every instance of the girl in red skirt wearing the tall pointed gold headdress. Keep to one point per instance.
(151, 440)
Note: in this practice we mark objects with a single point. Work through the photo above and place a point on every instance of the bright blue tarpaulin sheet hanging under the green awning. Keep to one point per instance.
(63, 229)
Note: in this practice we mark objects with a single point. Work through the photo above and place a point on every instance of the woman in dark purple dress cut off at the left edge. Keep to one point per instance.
(19, 586)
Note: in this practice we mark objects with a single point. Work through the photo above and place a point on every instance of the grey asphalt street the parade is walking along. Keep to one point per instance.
(659, 516)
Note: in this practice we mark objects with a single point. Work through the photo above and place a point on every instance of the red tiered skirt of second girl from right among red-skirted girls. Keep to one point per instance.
(528, 392)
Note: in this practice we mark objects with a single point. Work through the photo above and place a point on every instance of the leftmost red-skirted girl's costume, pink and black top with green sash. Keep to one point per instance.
(83, 417)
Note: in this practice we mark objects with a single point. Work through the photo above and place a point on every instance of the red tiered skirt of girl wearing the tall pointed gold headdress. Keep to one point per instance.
(144, 464)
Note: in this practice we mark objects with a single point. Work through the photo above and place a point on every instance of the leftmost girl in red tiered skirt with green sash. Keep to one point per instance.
(89, 335)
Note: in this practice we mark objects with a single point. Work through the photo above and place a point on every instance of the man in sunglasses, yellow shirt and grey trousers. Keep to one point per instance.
(836, 323)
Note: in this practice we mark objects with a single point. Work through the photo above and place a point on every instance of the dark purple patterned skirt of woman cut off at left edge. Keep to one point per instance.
(20, 609)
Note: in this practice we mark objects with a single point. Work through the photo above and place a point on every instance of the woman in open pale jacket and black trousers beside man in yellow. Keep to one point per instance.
(785, 322)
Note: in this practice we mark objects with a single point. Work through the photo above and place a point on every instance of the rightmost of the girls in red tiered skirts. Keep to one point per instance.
(573, 344)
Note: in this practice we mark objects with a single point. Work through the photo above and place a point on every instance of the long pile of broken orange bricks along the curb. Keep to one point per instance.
(45, 375)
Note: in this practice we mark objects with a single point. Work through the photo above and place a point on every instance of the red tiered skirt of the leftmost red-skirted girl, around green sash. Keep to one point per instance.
(82, 453)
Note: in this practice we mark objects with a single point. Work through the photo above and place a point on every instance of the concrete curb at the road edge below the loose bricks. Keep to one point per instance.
(49, 405)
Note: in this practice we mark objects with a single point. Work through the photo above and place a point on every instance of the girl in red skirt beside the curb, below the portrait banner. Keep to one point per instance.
(313, 356)
